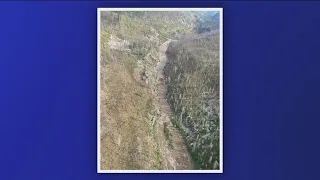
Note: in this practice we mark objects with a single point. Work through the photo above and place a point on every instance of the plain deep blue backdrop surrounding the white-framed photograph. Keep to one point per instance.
(48, 90)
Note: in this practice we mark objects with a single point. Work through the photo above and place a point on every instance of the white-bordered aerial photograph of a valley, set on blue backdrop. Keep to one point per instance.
(159, 89)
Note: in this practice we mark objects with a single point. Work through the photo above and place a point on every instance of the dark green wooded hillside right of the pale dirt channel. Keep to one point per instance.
(192, 78)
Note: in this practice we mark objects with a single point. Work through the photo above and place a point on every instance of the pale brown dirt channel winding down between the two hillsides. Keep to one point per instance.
(172, 148)
